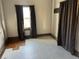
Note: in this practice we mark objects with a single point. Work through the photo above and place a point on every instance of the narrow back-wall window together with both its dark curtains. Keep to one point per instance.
(26, 21)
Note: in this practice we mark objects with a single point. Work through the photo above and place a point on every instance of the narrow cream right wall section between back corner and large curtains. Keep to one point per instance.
(55, 17)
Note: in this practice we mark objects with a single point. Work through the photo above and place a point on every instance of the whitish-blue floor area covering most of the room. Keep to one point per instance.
(38, 49)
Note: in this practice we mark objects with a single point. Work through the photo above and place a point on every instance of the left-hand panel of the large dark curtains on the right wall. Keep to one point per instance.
(62, 24)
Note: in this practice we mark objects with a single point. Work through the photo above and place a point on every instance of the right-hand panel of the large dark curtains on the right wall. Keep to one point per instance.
(71, 26)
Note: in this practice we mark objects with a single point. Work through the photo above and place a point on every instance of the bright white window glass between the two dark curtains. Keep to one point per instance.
(26, 17)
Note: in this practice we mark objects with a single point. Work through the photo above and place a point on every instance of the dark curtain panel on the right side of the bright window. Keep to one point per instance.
(33, 22)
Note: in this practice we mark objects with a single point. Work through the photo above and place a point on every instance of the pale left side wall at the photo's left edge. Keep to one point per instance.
(2, 28)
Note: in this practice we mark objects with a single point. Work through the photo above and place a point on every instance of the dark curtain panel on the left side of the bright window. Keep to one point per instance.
(19, 12)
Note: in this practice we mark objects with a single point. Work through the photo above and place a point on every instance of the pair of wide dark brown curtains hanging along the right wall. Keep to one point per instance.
(67, 25)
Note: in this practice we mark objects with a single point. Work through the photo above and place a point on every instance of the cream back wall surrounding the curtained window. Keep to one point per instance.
(43, 15)
